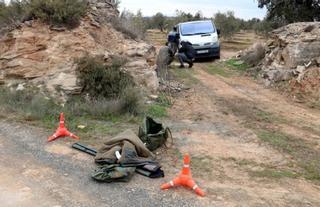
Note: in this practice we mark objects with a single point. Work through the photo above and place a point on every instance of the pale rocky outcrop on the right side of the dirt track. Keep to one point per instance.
(293, 55)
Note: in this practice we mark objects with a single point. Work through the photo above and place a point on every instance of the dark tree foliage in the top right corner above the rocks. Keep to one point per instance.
(289, 11)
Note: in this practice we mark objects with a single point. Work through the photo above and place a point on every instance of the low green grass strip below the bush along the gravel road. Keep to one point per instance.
(96, 115)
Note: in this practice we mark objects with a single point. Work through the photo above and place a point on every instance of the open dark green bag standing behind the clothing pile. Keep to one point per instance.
(153, 134)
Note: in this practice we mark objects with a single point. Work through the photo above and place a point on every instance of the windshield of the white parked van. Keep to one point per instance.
(197, 28)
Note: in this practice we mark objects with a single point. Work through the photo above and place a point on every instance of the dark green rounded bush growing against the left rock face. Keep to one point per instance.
(107, 82)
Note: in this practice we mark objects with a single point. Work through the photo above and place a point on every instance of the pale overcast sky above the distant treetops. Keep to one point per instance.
(245, 9)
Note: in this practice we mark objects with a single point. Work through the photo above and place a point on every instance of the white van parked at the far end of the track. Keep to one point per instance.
(203, 36)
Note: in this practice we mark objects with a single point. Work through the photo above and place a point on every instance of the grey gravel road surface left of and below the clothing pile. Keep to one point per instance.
(34, 173)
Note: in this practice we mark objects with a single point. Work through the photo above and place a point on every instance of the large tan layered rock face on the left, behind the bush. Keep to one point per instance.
(46, 56)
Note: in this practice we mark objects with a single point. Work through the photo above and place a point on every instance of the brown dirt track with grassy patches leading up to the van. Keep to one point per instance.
(250, 145)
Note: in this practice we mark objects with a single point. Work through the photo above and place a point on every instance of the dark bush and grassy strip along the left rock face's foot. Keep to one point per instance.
(109, 101)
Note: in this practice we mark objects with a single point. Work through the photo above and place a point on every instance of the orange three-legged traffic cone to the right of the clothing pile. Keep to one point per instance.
(184, 179)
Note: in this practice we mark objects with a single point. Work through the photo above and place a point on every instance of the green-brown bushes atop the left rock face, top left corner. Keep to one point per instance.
(54, 12)
